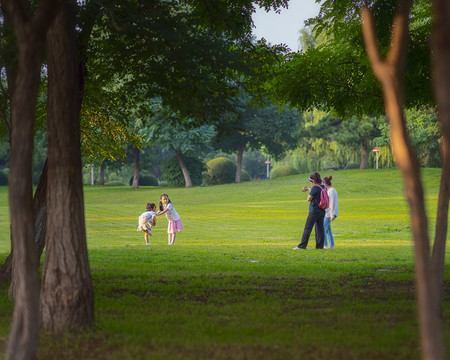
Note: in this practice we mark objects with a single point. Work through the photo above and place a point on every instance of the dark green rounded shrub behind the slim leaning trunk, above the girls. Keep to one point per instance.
(173, 175)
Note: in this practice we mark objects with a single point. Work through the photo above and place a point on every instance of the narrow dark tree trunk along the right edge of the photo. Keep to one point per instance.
(441, 61)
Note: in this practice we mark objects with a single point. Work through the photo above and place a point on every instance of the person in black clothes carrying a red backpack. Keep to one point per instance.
(316, 214)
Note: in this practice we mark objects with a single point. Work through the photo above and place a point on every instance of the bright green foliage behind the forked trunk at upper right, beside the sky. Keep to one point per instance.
(337, 76)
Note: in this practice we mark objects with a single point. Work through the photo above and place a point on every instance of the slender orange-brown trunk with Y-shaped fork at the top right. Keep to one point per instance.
(390, 74)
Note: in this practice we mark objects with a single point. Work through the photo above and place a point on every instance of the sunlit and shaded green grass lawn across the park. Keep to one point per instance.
(232, 288)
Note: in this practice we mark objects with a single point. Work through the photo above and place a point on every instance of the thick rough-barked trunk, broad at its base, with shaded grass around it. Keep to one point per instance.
(67, 299)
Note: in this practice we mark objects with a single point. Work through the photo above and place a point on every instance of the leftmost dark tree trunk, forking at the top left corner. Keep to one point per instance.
(30, 34)
